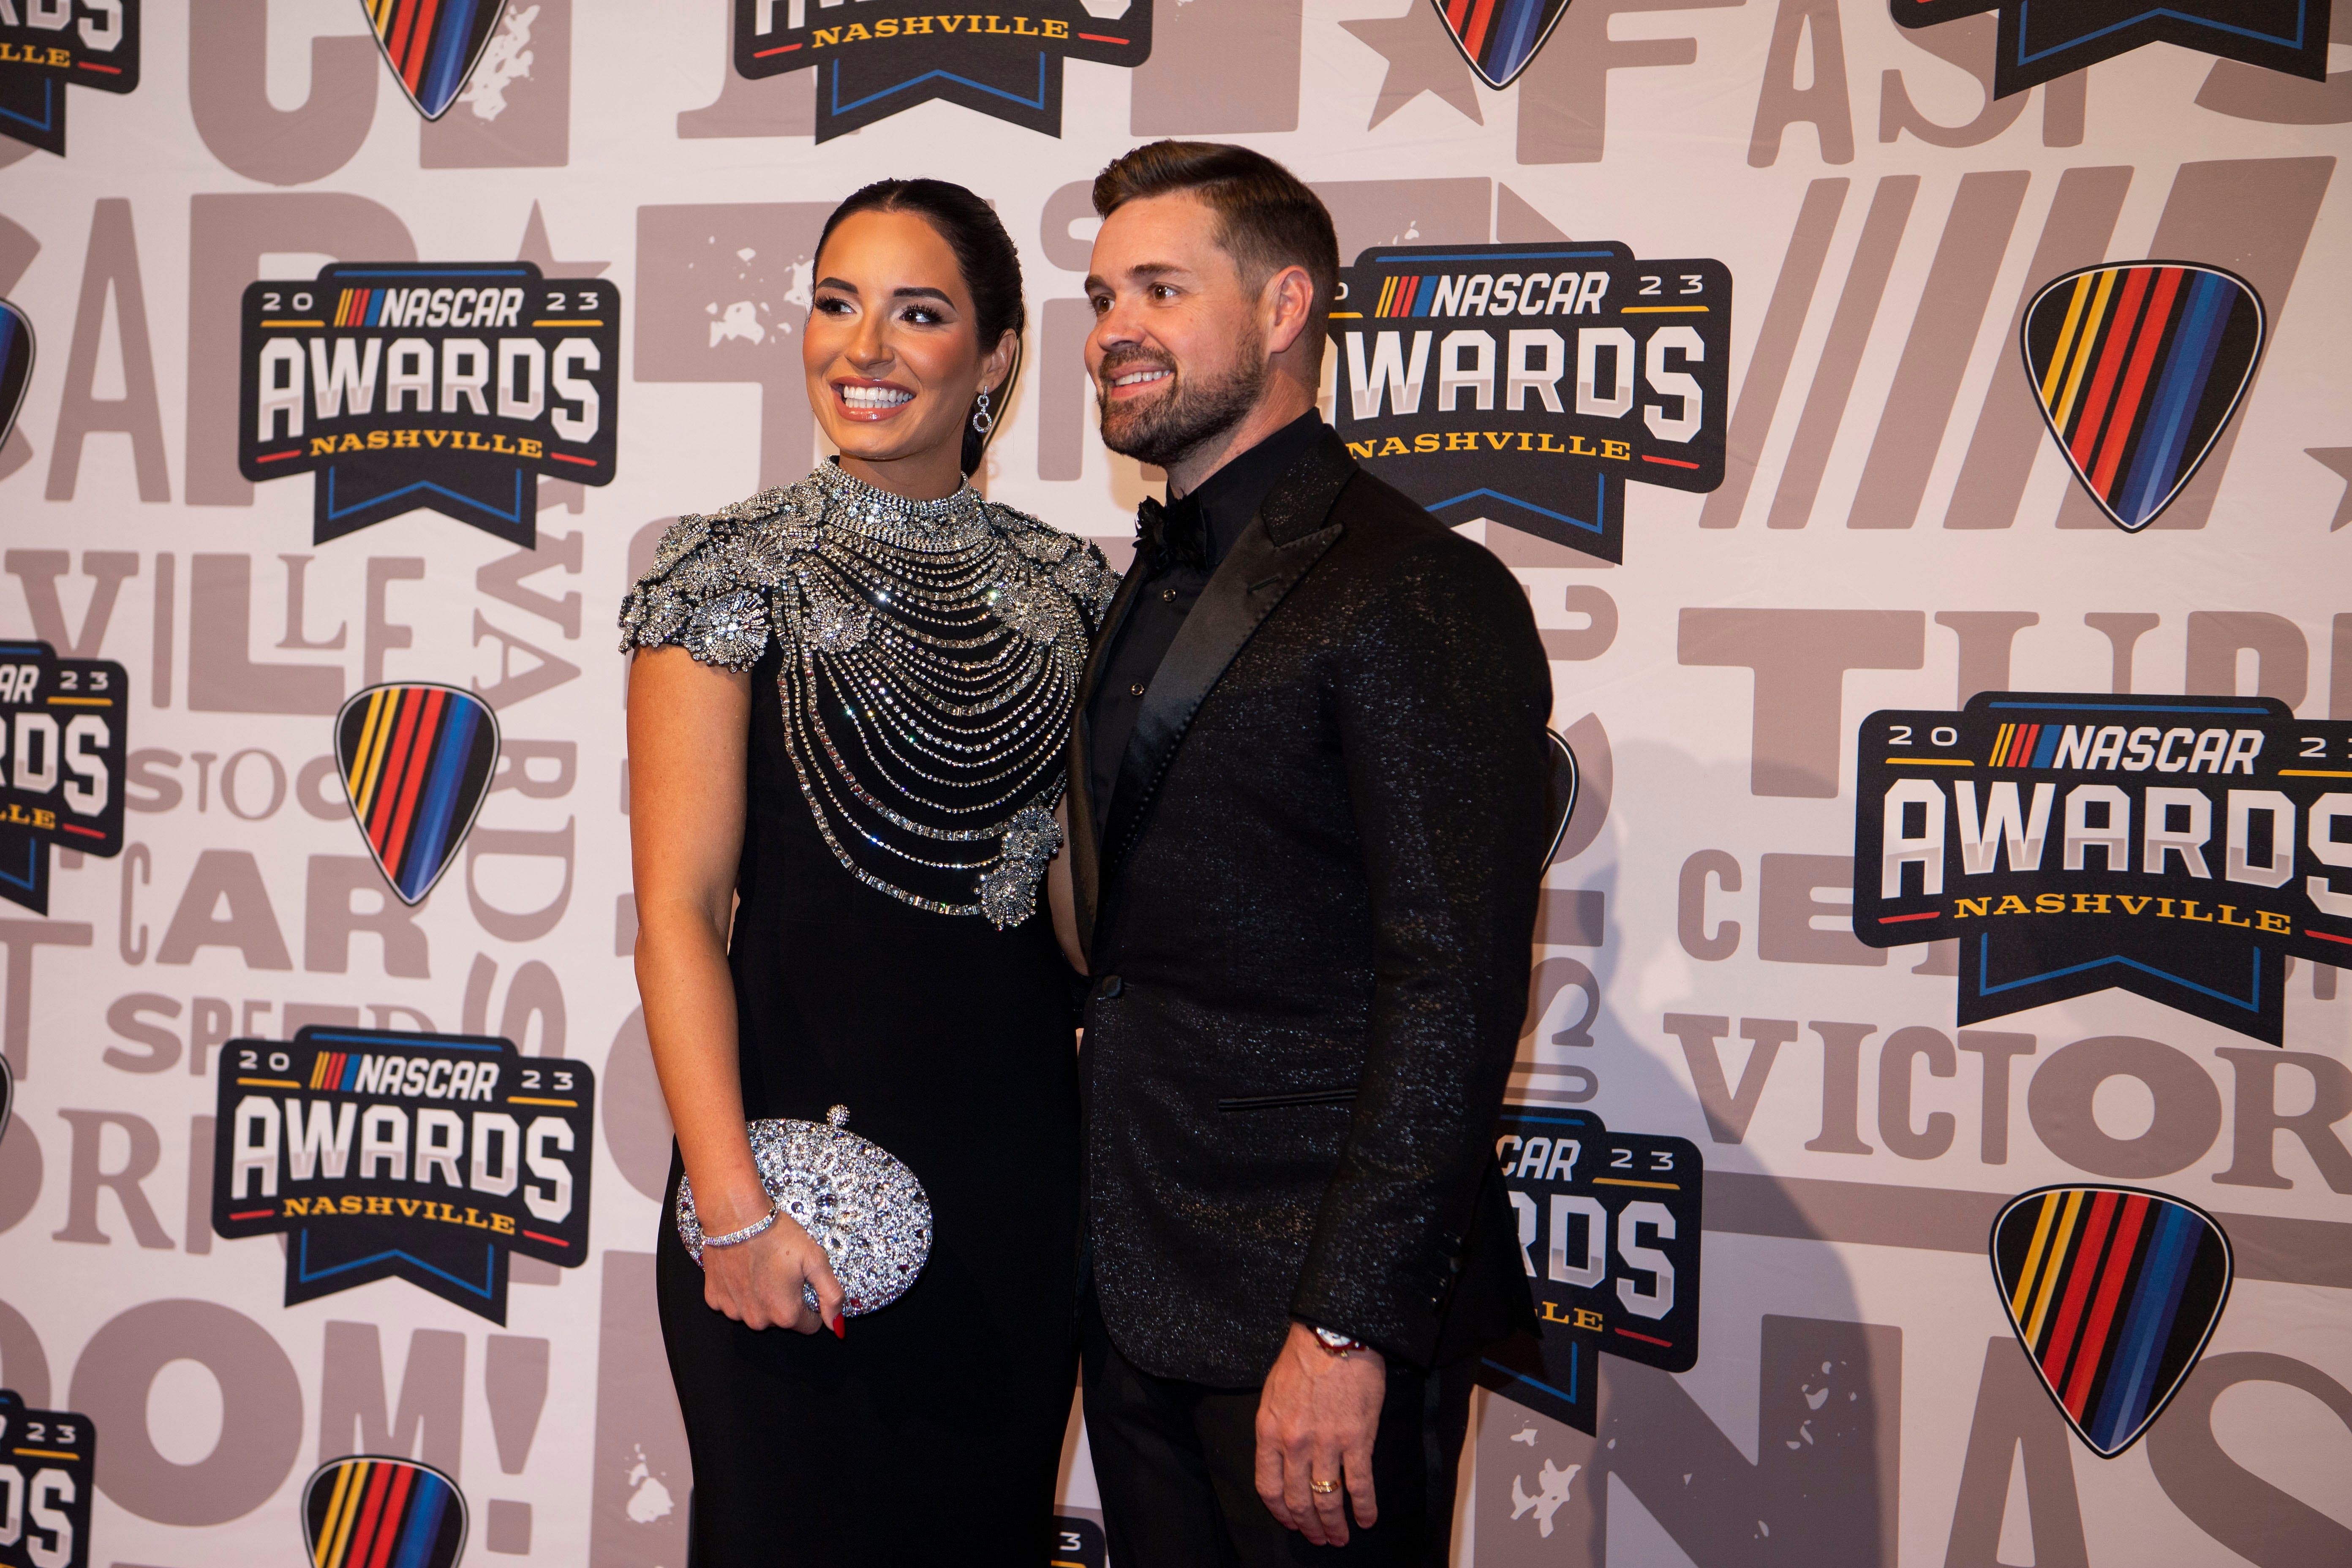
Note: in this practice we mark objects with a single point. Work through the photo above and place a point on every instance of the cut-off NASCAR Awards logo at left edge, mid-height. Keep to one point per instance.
(62, 753)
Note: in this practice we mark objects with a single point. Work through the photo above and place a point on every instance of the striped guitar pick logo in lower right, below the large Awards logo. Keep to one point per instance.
(2113, 1294)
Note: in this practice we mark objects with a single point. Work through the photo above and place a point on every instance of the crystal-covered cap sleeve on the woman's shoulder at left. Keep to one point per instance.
(707, 589)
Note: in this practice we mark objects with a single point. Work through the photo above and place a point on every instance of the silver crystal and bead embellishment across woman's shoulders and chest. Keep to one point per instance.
(930, 662)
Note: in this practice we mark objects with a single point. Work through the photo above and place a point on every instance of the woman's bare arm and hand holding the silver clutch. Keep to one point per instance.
(688, 746)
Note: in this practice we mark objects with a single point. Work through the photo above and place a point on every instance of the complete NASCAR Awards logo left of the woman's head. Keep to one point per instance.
(429, 387)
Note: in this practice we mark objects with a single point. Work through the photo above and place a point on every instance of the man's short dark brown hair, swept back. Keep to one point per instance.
(1267, 215)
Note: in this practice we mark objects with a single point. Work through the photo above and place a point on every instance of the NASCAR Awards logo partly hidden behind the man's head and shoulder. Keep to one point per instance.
(1530, 384)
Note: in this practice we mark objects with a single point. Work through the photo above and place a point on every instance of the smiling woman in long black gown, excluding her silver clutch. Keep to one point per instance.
(846, 725)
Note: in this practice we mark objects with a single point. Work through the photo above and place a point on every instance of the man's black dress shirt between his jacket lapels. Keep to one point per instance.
(1222, 507)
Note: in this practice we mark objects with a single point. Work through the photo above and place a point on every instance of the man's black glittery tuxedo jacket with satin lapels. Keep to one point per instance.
(1309, 927)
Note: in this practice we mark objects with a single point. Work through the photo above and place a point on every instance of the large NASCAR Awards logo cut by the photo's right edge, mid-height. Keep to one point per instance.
(2181, 847)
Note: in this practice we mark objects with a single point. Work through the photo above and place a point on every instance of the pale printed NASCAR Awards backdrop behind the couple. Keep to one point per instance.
(1920, 429)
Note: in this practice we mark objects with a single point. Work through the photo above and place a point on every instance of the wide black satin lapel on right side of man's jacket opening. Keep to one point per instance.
(1288, 537)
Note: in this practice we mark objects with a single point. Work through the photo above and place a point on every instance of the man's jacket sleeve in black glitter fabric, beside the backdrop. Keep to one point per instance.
(1443, 742)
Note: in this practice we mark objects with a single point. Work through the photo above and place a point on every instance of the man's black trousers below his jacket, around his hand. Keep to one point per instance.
(1177, 1466)
